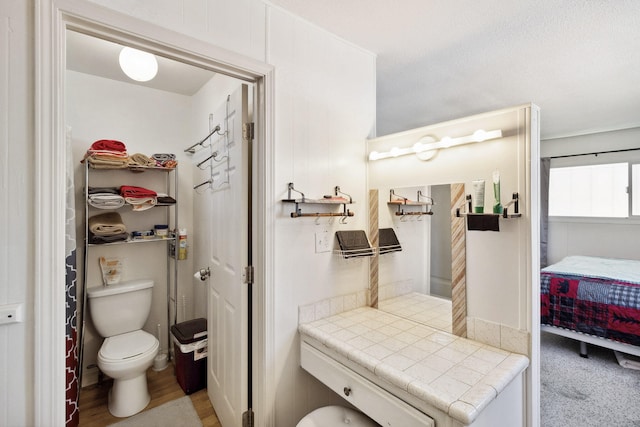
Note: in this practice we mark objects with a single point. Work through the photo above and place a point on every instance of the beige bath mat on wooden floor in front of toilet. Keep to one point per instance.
(177, 413)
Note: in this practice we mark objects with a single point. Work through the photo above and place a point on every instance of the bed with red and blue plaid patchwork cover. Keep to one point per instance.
(593, 300)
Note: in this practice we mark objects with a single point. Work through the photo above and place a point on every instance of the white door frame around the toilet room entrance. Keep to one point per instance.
(52, 19)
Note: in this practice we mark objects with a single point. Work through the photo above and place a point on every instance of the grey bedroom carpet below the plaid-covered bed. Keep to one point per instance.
(580, 392)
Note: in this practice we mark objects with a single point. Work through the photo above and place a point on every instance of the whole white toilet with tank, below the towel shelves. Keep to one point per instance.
(118, 312)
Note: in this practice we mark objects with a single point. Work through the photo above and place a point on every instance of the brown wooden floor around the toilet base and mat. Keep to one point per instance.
(163, 388)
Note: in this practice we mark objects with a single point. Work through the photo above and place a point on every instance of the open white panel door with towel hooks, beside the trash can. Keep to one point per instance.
(228, 255)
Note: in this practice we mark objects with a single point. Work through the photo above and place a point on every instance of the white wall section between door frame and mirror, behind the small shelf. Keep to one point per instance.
(325, 109)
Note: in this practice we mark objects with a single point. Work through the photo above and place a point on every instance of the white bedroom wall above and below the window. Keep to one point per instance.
(593, 237)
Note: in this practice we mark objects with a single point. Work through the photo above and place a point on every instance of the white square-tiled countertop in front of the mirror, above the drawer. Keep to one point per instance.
(456, 375)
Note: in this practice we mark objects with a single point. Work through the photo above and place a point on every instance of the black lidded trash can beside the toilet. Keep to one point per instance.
(190, 349)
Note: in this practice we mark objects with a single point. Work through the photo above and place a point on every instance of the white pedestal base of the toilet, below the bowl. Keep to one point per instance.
(129, 396)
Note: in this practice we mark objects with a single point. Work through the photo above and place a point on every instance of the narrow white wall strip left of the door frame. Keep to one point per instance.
(16, 209)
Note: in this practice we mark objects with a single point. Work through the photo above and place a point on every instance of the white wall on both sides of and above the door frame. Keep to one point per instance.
(325, 95)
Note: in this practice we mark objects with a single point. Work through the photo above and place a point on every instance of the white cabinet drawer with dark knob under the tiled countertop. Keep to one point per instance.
(383, 407)
